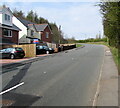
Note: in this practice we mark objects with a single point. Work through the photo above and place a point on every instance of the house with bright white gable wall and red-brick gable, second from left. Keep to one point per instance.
(30, 31)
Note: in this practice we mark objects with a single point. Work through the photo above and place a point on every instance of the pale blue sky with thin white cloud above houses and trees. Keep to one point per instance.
(80, 20)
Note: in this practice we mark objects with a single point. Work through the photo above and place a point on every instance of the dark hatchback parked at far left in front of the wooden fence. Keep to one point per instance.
(12, 53)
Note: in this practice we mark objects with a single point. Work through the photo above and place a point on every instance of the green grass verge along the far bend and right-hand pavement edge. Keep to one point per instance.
(114, 52)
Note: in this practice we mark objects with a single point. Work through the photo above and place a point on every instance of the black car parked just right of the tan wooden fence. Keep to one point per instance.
(43, 49)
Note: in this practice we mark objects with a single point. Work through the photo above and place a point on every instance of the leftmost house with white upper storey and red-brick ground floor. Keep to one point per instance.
(8, 31)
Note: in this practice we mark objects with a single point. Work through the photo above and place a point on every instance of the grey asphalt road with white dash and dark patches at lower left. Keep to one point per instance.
(65, 79)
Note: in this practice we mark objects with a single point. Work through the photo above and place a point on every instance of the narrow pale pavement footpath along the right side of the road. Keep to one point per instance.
(108, 86)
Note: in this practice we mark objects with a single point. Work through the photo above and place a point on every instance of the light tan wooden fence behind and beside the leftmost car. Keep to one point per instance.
(30, 49)
